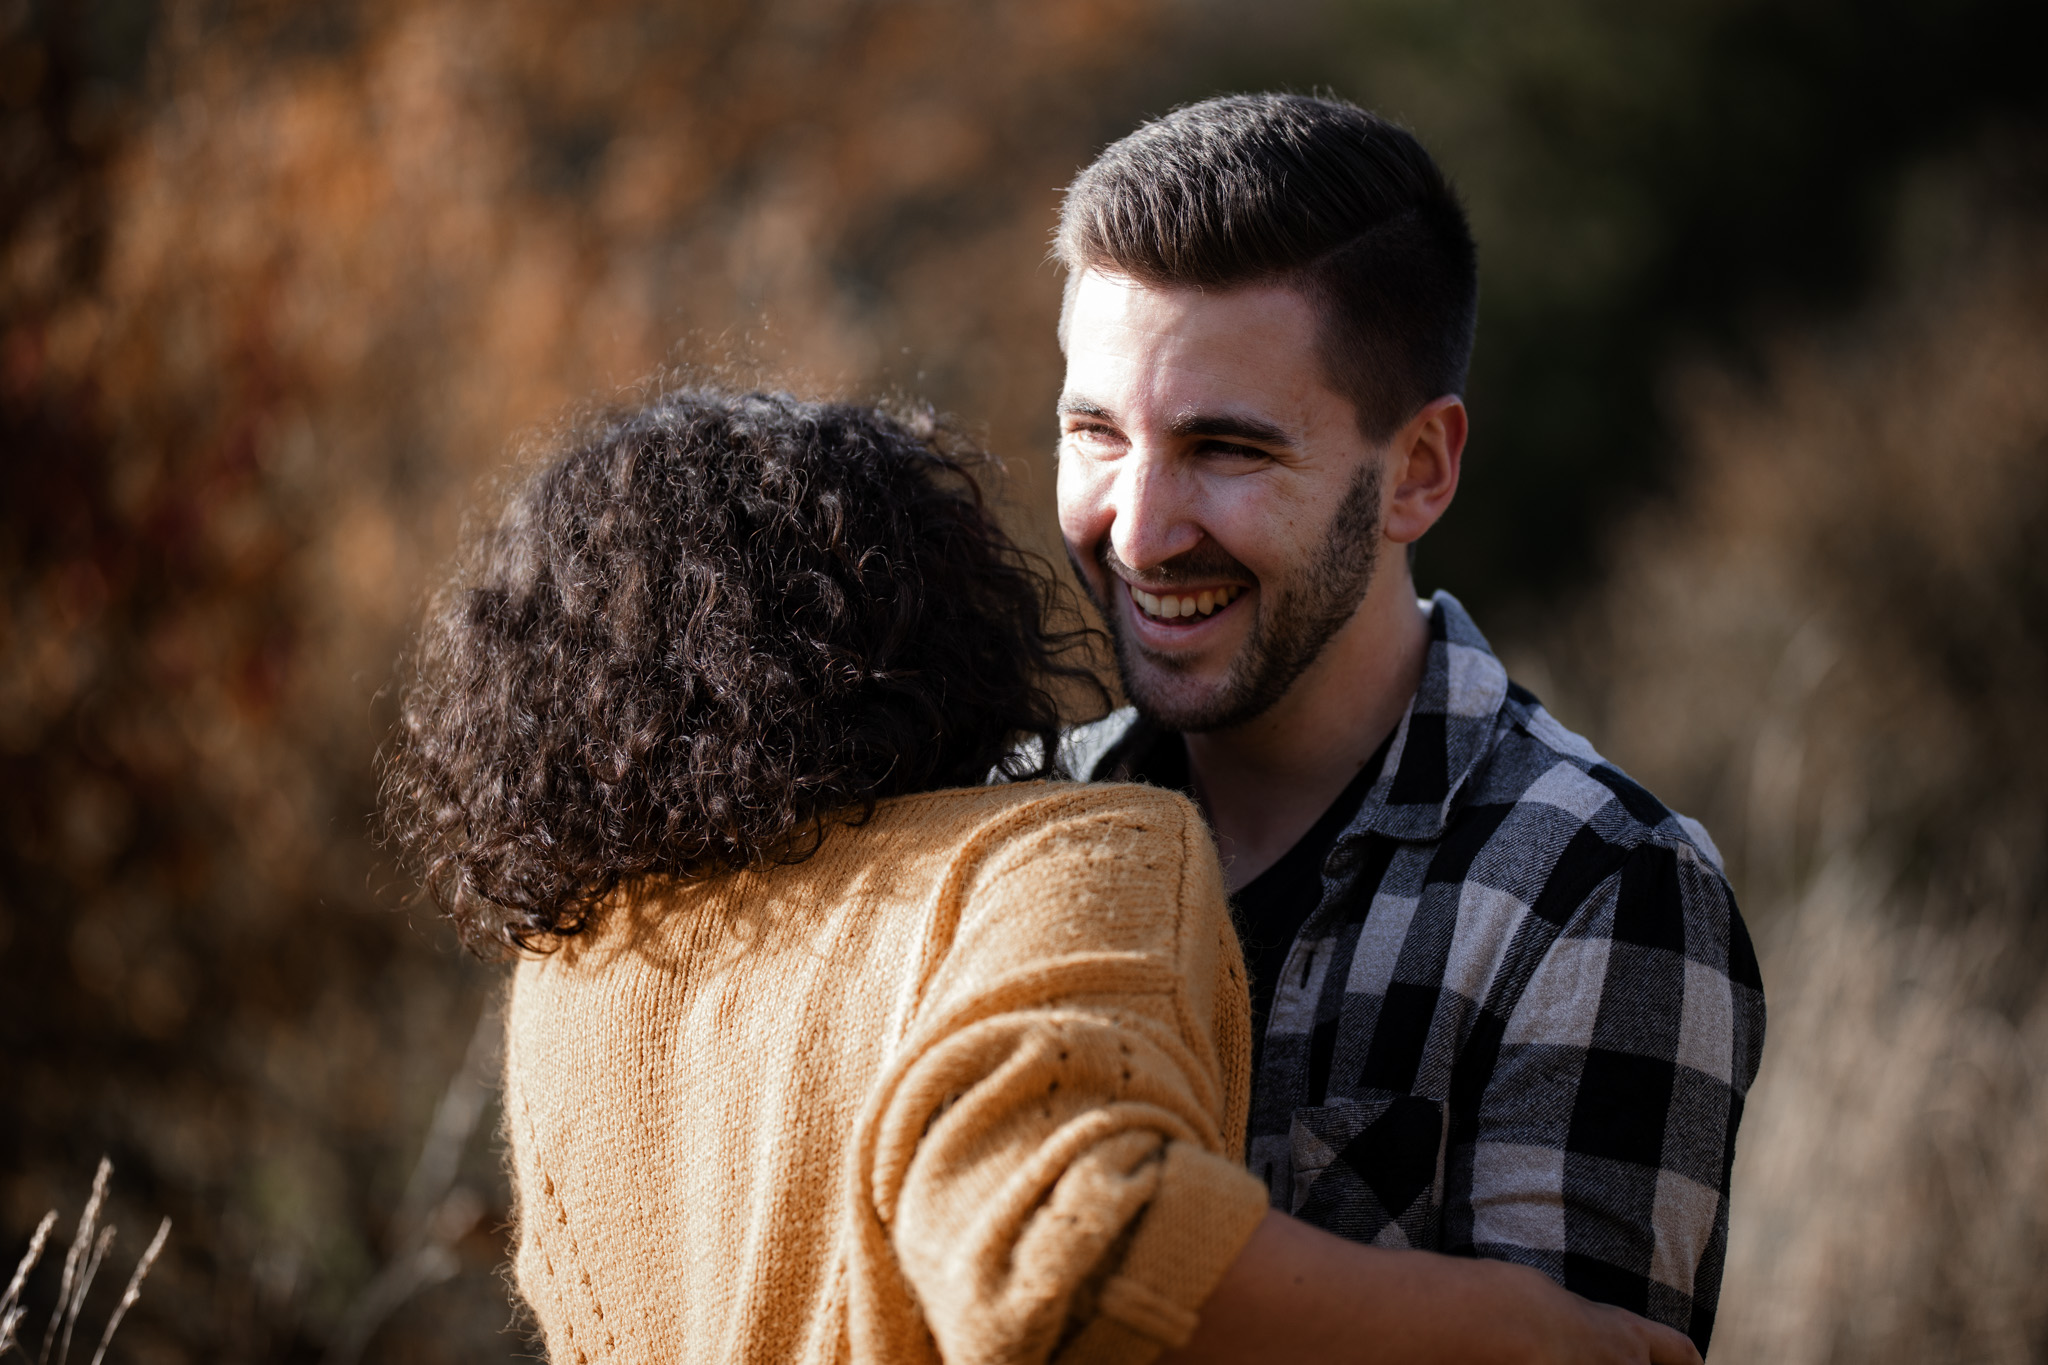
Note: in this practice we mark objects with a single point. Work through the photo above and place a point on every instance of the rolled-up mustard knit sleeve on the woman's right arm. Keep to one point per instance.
(1054, 1161)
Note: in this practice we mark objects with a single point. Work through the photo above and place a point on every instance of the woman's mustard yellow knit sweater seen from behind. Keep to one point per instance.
(968, 1086)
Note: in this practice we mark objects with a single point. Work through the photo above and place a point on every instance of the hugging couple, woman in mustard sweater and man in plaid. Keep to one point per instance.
(1328, 1002)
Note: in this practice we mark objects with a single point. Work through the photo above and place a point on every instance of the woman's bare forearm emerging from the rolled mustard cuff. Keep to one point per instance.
(1297, 1292)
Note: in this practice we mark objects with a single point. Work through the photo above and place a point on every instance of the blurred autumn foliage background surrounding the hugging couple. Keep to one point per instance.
(1756, 498)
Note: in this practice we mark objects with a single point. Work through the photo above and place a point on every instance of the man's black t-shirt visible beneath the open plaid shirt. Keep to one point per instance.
(1275, 906)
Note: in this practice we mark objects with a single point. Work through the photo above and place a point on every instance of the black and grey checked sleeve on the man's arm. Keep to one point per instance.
(1605, 1112)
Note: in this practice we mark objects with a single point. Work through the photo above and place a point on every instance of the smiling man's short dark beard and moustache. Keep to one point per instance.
(1293, 623)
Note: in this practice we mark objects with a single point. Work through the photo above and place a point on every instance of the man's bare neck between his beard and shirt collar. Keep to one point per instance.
(1265, 783)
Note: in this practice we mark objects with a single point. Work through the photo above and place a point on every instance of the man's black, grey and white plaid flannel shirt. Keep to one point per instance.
(1525, 1014)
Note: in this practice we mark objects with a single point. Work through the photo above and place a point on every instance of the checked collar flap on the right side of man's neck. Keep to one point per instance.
(1445, 734)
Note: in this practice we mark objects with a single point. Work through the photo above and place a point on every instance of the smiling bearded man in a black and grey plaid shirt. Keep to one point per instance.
(1504, 1002)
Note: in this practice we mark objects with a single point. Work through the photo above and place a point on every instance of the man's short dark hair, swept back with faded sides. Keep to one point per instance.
(1299, 191)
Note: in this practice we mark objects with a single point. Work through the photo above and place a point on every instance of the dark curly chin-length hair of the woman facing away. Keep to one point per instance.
(697, 640)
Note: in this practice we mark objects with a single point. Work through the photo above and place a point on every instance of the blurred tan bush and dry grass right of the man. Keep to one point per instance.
(1834, 646)
